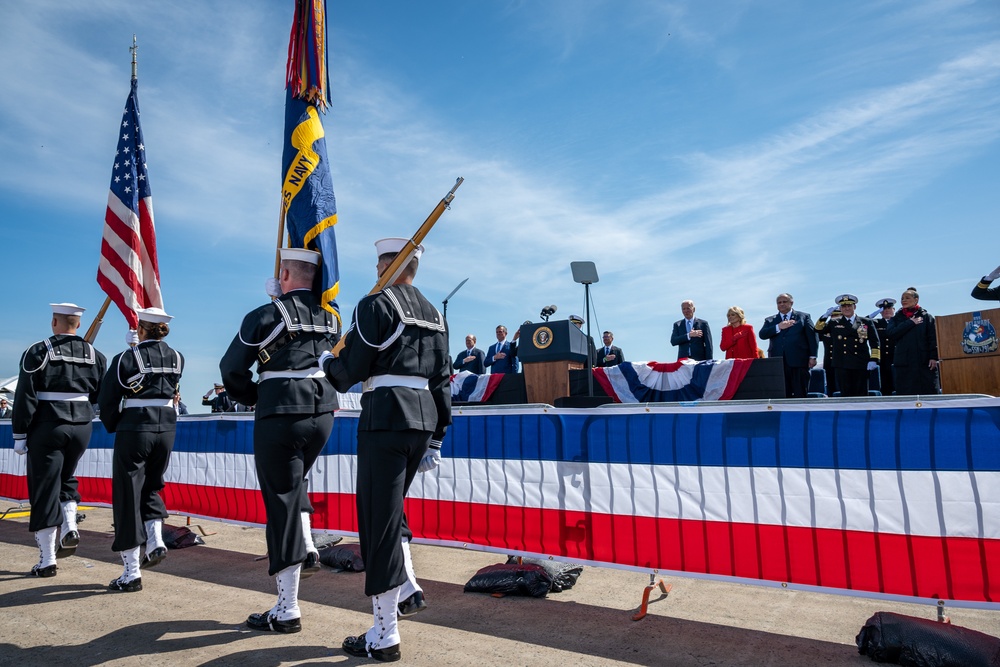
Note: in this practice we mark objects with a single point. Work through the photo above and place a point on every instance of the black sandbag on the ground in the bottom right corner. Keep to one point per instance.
(921, 642)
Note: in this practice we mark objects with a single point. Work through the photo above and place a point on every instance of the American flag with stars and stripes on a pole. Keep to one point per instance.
(128, 271)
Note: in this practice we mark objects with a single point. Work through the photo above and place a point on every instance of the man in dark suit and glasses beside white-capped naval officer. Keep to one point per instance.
(792, 337)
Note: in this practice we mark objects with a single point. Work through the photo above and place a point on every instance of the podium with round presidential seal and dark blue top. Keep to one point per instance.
(549, 351)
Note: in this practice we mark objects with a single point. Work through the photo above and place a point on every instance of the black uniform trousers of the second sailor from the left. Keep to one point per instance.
(140, 461)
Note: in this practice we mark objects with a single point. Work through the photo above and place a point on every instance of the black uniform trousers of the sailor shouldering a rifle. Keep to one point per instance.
(387, 464)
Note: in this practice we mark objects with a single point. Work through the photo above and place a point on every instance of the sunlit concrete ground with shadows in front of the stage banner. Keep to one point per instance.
(192, 609)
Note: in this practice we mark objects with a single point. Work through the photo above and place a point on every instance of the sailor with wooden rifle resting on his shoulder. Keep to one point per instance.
(398, 344)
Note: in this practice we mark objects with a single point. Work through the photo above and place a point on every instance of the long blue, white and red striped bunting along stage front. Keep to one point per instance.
(885, 499)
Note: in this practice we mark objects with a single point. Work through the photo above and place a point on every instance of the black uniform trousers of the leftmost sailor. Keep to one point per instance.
(54, 449)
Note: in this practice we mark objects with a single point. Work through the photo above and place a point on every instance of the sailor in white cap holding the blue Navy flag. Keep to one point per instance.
(292, 421)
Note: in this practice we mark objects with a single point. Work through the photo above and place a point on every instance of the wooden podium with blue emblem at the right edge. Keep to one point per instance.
(969, 349)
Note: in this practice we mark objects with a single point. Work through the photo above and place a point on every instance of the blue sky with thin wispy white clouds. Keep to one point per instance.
(722, 152)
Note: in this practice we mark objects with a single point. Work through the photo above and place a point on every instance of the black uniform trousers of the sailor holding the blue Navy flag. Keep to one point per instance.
(285, 447)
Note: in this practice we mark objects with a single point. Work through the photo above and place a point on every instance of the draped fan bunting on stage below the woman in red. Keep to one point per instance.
(684, 380)
